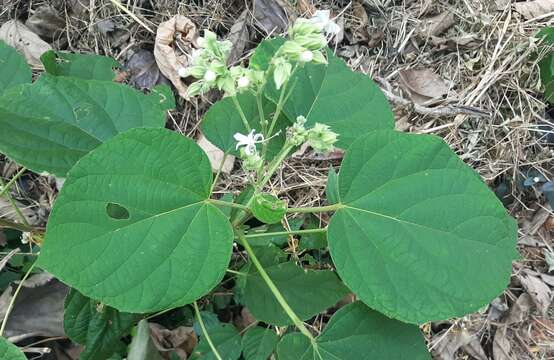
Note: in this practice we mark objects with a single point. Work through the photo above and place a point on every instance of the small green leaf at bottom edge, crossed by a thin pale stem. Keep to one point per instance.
(226, 340)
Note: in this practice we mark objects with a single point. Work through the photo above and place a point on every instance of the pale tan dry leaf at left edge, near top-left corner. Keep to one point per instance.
(16, 34)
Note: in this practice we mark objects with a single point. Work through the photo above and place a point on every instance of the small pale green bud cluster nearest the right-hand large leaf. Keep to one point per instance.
(320, 137)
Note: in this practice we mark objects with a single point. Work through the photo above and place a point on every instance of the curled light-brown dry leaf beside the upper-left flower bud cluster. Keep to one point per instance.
(169, 56)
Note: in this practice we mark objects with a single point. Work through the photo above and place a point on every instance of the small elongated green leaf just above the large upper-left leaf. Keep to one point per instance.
(82, 66)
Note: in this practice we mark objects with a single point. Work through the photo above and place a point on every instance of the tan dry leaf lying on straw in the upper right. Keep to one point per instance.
(423, 85)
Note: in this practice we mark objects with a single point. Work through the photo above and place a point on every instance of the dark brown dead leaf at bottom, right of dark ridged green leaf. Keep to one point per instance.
(182, 340)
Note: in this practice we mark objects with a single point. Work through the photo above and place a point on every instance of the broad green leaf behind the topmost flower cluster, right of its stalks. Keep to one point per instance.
(349, 102)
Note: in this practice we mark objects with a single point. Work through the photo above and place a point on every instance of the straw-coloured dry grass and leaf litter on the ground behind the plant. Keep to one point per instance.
(479, 56)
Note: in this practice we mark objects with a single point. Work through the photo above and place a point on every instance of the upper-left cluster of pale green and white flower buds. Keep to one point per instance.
(209, 66)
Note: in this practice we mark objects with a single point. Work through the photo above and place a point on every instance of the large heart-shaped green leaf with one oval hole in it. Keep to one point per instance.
(170, 249)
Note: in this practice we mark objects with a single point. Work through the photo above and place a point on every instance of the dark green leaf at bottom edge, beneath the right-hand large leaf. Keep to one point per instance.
(357, 332)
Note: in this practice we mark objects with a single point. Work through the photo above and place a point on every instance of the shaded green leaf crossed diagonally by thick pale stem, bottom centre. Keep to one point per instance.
(308, 292)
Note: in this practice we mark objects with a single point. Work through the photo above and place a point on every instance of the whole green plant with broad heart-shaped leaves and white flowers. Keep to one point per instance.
(414, 233)
